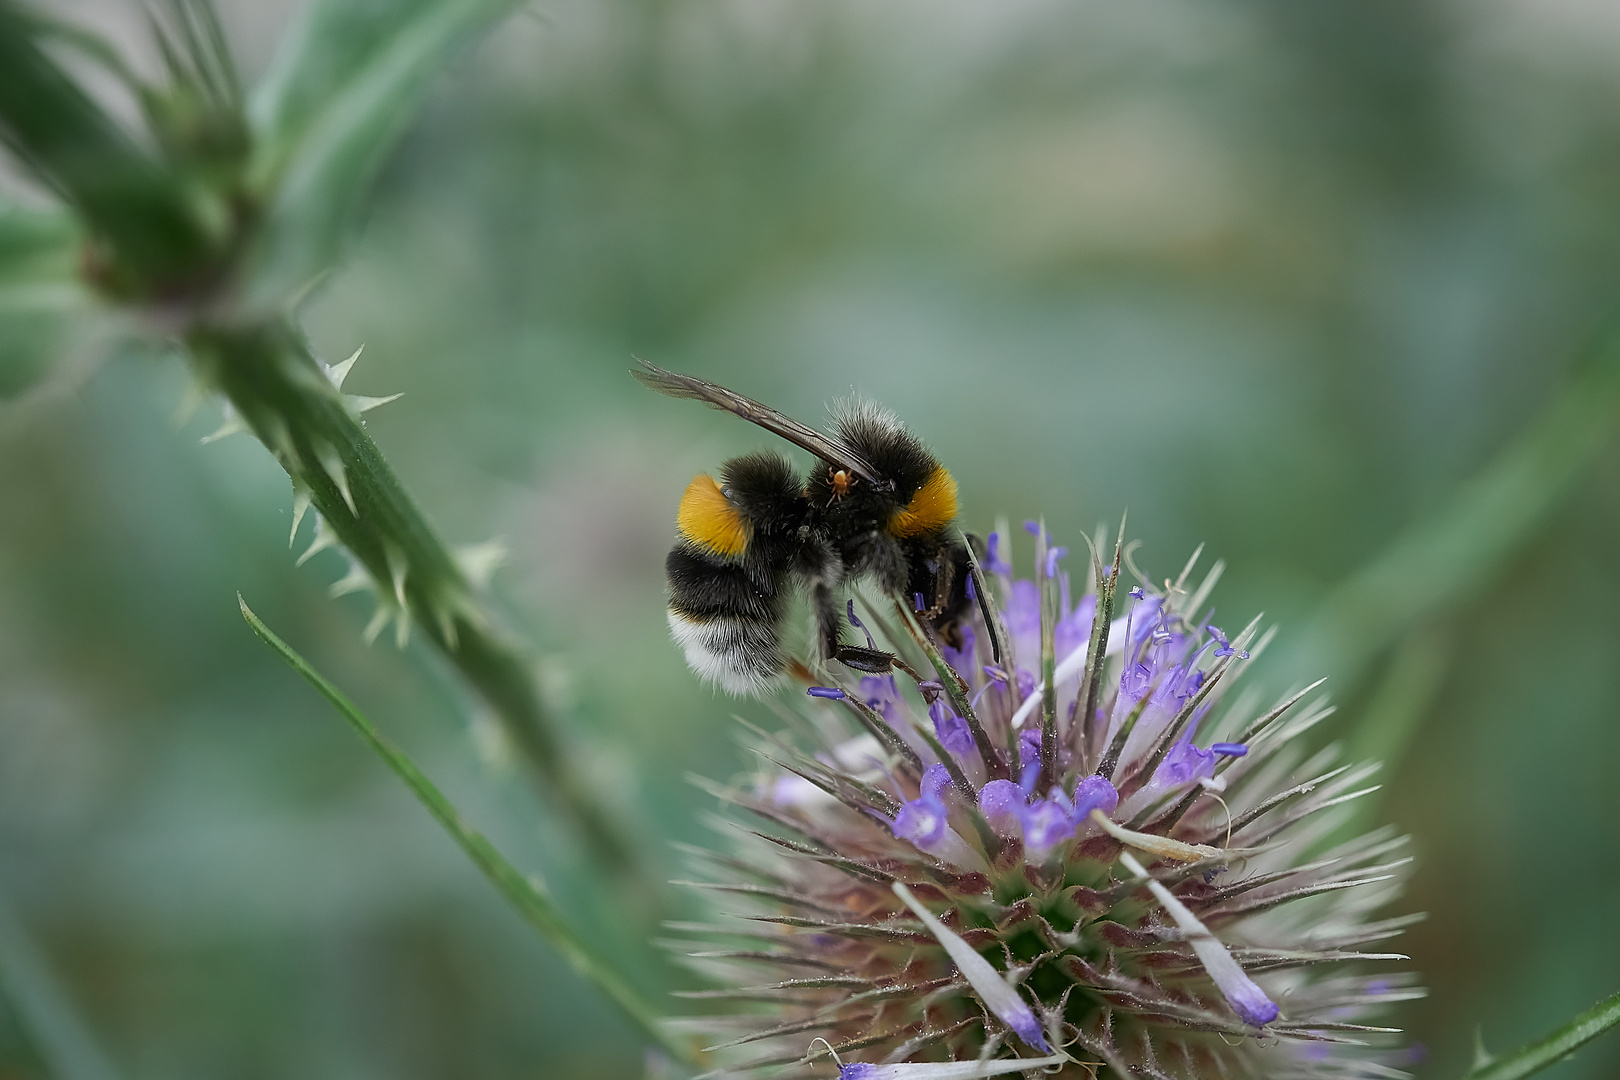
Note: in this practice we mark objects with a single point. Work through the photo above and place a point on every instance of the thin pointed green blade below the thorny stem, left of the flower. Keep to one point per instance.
(521, 893)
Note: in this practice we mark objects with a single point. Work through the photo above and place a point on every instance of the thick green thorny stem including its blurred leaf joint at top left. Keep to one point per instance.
(171, 223)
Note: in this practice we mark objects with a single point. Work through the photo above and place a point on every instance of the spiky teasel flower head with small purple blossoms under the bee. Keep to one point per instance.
(1062, 844)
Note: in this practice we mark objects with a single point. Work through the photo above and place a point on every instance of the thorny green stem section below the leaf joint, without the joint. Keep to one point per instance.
(286, 399)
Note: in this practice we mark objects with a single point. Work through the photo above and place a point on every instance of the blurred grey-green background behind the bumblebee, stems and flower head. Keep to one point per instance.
(1271, 276)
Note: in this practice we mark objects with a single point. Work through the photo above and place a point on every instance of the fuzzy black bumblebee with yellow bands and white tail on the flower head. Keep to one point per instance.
(877, 506)
